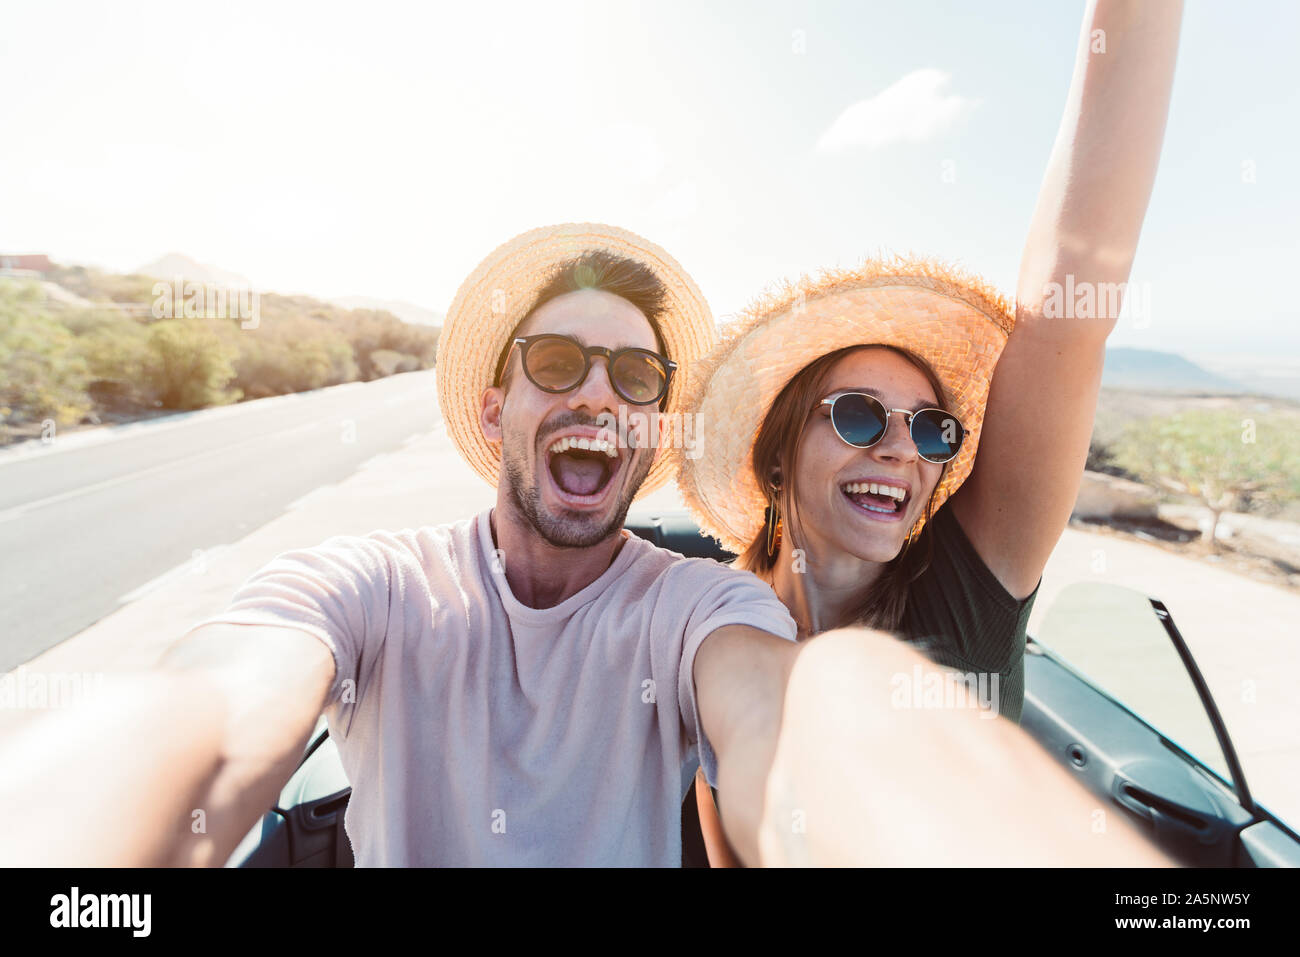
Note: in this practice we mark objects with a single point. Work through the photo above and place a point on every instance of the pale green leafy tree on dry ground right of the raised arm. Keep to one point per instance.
(1228, 461)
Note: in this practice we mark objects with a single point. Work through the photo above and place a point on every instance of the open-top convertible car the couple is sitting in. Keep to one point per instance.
(1112, 692)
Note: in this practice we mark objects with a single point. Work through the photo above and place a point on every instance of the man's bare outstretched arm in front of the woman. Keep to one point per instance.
(816, 767)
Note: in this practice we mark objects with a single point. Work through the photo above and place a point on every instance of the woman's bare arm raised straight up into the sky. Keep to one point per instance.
(1084, 235)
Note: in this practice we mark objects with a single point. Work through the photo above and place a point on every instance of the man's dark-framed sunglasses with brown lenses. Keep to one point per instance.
(560, 365)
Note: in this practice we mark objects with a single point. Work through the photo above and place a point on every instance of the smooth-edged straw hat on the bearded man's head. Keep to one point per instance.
(501, 292)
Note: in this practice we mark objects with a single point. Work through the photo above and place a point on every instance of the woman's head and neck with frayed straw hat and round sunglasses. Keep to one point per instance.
(865, 401)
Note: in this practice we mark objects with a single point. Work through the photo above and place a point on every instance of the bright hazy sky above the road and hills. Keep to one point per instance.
(383, 150)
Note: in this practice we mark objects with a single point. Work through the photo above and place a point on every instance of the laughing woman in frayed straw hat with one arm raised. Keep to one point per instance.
(844, 413)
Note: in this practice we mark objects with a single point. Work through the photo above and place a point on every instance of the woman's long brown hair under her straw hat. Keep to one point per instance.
(777, 451)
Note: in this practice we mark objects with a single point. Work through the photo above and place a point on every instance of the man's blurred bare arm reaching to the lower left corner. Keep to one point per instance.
(181, 761)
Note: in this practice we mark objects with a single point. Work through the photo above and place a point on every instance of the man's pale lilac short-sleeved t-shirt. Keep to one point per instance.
(479, 731)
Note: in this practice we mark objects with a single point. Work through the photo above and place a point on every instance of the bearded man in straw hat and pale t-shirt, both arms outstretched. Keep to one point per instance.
(528, 686)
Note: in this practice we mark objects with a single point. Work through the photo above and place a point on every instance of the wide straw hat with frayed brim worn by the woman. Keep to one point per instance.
(955, 322)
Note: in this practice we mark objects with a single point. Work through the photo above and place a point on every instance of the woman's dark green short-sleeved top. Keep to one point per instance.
(965, 618)
